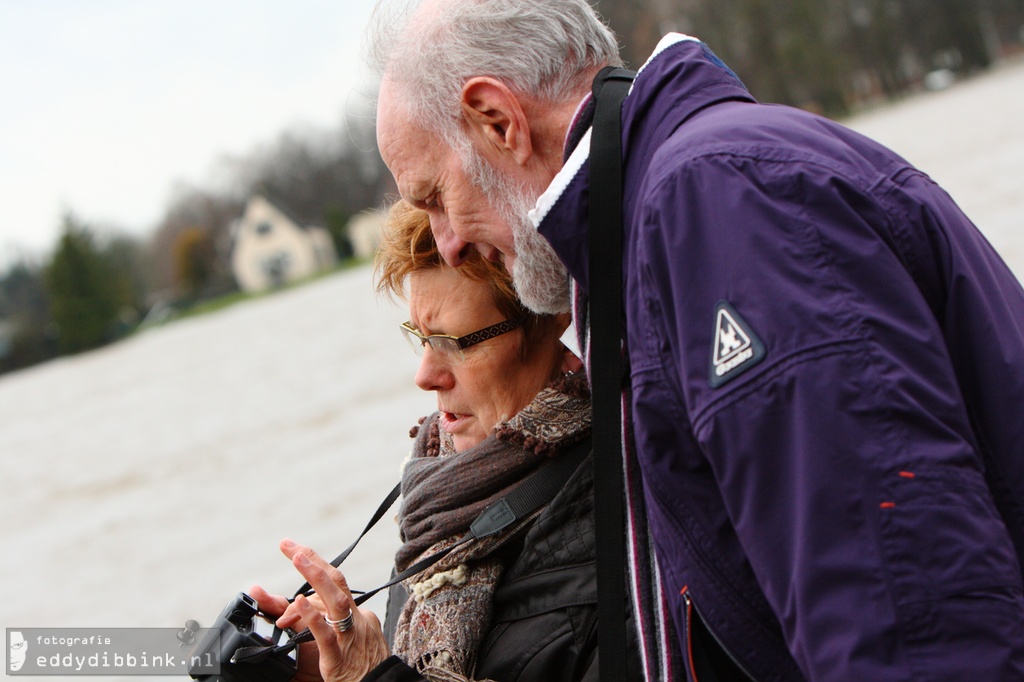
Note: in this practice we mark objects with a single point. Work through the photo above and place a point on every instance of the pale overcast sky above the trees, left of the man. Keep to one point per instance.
(107, 105)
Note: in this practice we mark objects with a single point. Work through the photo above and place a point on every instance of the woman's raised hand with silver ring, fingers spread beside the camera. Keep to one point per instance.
(338, 657)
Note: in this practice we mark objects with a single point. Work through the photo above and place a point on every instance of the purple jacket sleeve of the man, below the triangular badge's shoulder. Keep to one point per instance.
(845, 458)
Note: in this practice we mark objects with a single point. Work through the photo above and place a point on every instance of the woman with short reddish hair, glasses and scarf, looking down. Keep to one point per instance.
(521, 606)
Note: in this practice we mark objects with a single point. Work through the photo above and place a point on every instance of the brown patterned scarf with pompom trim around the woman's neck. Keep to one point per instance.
(443, 624)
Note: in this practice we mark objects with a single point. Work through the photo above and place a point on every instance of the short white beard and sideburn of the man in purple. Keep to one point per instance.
(539, 277)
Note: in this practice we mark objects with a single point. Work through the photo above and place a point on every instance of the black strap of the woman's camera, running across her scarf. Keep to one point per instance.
(540, 489)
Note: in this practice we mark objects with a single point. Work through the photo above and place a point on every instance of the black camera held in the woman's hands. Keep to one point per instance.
(246, 645)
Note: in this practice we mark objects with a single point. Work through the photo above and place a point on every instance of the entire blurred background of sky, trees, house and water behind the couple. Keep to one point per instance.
(194, 362)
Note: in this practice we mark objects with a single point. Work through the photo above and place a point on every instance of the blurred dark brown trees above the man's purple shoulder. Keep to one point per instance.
(833, 57)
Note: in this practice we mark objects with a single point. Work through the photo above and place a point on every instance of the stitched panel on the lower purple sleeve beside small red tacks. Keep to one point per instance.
(955, 575)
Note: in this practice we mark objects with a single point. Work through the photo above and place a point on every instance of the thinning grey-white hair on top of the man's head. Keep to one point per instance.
(543, 49)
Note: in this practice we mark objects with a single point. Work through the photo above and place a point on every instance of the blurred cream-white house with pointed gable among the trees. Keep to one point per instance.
(271, 249)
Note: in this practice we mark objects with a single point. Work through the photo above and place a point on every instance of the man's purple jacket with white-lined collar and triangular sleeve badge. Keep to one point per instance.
(828, 388)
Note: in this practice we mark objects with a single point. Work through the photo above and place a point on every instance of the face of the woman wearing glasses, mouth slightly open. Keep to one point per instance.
(494, 382)
